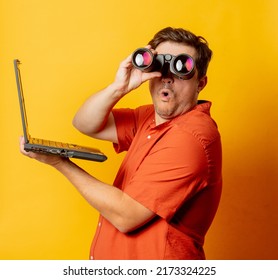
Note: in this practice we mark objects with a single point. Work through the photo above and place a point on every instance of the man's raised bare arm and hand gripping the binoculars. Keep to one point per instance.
(95, 114)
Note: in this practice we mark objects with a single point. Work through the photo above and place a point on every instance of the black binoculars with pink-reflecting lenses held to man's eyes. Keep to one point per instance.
(182, 65)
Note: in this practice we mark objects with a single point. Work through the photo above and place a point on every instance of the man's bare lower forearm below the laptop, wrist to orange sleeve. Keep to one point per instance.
(121, 210)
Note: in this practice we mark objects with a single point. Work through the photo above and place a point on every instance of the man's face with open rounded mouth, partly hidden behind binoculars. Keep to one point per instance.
(172, 96)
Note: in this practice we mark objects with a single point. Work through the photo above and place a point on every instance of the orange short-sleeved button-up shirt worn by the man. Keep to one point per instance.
(174, 169)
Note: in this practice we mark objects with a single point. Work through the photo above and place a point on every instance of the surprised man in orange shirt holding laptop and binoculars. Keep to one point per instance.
(168, 187)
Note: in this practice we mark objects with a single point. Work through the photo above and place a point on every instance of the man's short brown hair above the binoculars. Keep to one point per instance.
(180, 35)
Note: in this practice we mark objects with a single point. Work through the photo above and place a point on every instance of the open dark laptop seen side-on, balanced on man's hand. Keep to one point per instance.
(47, 146)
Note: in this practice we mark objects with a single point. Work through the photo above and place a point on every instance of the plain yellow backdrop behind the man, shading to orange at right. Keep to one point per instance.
(70, 49)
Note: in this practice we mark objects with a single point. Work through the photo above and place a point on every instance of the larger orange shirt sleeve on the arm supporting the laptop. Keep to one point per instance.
(170, 174)
